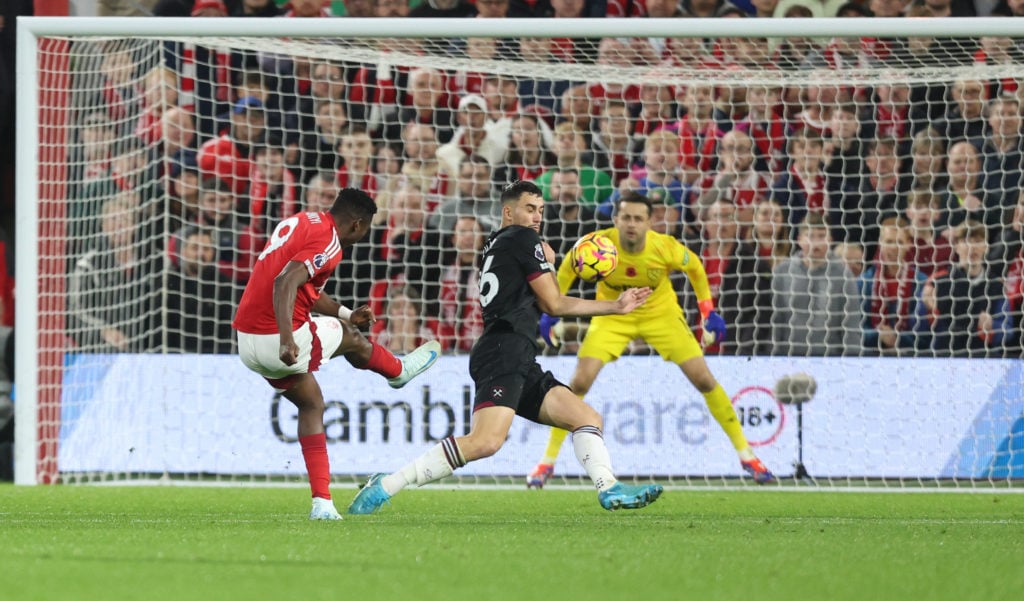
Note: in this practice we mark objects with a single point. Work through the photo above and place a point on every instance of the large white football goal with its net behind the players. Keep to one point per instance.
(854, 197)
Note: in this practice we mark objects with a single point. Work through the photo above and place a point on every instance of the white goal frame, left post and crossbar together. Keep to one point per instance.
(35, 463)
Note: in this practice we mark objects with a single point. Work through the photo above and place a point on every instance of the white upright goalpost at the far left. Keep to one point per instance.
(27, 267)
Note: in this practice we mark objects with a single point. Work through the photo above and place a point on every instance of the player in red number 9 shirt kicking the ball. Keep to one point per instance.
(281, 338)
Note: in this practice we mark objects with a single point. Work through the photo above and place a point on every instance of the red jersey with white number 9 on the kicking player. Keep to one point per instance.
(308, 238)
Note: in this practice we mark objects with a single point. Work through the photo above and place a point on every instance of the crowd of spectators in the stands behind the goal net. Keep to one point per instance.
(832, 220)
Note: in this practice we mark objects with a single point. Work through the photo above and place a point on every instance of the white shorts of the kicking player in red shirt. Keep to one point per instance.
(317, 340)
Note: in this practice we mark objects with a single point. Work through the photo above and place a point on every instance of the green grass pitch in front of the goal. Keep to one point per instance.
(178, 543)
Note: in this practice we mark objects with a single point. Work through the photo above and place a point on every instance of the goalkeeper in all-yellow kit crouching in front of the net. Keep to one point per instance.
(647, 259)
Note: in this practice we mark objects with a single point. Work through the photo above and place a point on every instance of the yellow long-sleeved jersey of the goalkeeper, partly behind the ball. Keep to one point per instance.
(662, 255)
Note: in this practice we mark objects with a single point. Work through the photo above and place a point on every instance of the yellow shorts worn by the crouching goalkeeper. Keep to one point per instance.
(609, 336)
